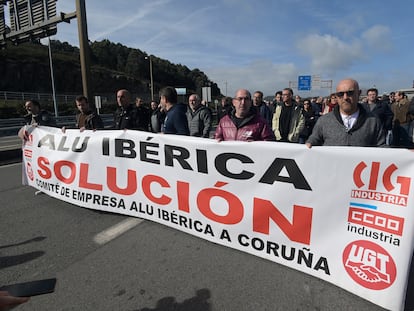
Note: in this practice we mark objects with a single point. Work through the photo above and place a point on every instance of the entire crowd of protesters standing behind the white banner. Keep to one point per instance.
(345, 117)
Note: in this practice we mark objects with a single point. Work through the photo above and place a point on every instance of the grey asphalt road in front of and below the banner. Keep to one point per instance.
(148, 267)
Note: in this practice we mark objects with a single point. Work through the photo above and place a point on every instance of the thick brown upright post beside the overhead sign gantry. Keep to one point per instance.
(84, 47)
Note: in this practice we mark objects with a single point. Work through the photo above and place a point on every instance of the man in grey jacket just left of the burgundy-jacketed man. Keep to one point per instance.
(199, 117)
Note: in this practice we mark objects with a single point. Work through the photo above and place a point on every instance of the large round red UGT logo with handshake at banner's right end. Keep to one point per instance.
(369, 265)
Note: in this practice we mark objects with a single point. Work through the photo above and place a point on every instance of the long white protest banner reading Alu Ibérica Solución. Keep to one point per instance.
(342, 214)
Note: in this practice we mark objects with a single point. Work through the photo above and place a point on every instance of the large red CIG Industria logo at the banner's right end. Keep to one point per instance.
(379, 183)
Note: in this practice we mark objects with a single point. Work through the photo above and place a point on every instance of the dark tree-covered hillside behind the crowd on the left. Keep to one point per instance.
(25, 68)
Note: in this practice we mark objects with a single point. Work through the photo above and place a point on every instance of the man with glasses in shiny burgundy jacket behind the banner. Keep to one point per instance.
(243, 123)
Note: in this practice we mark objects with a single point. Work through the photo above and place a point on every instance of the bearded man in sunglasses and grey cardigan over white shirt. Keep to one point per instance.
(348, 124)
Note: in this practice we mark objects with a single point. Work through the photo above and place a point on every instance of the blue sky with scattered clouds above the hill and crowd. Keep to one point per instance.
(263, 44)
